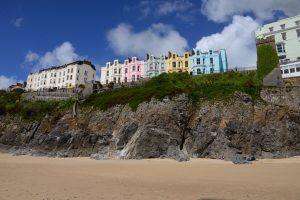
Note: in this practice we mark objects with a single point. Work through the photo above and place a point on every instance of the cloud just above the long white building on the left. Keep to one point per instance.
(65, 53)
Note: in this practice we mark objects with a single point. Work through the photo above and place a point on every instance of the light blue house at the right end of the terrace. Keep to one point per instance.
(208, 62)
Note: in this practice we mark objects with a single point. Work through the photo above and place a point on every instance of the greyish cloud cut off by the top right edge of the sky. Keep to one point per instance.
(224, 10)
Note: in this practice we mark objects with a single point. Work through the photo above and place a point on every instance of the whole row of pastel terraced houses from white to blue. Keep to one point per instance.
(194, 62)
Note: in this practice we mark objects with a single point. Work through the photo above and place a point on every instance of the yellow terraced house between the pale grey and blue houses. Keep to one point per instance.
(176, 63)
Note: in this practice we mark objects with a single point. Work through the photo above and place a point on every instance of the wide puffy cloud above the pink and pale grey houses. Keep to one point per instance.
(157, 39)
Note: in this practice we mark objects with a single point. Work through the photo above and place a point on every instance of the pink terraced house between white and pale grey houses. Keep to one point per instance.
(133, 70)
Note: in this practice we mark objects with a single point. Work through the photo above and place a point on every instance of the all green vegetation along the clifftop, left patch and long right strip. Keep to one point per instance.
(207, 87)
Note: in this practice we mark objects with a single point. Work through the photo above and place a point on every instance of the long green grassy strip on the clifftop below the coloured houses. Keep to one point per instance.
(207, 87)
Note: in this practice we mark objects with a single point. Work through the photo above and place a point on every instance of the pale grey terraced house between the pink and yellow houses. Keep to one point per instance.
(154, 66)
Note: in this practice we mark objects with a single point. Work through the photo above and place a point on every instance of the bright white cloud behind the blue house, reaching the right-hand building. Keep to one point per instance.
(238, 39)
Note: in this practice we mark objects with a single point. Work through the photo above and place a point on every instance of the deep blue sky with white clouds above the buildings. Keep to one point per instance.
(36, 34)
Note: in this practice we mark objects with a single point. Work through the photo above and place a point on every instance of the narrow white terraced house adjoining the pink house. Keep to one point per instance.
(111, 72)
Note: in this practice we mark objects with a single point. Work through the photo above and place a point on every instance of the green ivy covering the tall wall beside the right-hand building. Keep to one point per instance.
(267, 60)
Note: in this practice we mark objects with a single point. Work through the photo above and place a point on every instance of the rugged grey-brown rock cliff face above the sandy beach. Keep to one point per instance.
(236, 130)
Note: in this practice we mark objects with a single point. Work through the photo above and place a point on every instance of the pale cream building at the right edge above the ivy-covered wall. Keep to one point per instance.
(287, 37)
